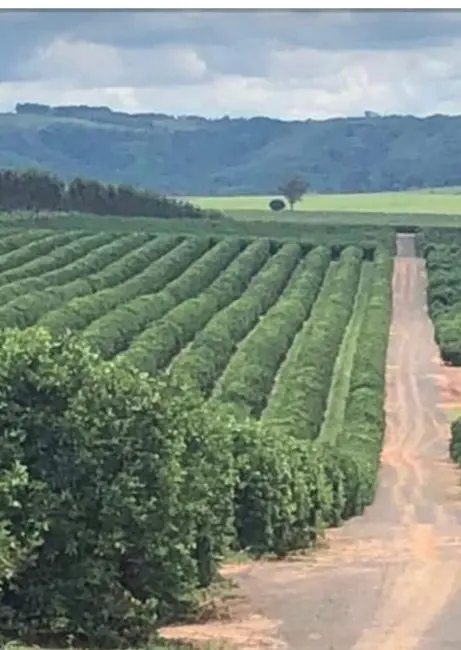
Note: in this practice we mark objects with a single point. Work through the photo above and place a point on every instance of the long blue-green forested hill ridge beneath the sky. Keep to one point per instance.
(193, 155)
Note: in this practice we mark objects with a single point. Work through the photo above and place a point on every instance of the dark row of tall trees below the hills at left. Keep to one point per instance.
(37, 191)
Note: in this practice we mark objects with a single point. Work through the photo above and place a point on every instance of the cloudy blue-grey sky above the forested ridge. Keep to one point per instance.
(289, 65)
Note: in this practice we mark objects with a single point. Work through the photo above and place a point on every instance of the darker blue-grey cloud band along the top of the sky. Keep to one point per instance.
(368, 29)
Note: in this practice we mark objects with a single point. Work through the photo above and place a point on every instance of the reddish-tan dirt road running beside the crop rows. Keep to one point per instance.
(390, 580)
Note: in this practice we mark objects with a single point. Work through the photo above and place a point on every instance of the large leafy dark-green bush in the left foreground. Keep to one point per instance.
(125, 501)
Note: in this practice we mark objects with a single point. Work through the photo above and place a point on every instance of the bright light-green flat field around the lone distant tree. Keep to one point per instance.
(427, 202)
